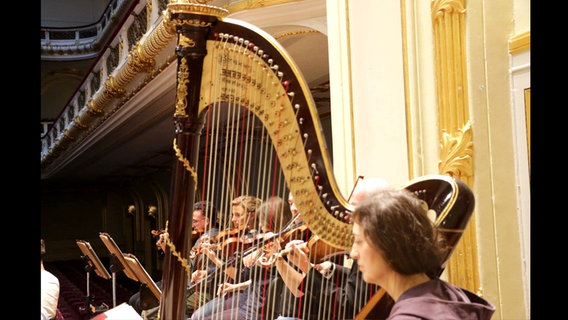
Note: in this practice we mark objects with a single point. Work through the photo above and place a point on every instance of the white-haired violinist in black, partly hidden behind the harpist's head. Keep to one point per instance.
(340, 286)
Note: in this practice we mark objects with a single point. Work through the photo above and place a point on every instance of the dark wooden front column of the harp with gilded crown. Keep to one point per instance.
(193, 21)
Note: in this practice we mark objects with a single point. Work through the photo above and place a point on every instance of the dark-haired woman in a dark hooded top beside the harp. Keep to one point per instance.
(396, 246)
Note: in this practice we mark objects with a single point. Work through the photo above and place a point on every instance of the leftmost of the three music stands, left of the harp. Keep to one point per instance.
(92, 262)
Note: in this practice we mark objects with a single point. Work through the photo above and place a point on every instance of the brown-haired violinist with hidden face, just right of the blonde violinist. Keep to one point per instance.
(252, 298)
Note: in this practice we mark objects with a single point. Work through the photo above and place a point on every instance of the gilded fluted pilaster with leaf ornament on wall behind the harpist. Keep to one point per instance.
(456, 152)
